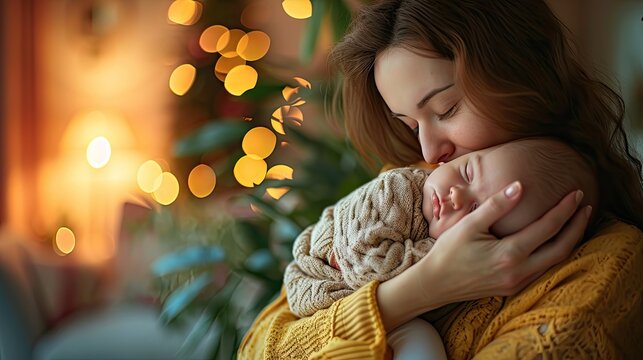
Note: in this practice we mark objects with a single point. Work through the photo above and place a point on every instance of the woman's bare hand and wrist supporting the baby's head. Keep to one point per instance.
(468, 262)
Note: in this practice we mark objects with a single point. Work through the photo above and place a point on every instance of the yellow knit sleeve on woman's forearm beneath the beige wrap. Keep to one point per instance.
(351, 327)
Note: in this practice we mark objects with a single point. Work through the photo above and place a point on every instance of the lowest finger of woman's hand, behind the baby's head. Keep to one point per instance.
(558, 248)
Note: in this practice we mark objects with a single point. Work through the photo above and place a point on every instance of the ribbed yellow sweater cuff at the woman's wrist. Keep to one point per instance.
(358, 332)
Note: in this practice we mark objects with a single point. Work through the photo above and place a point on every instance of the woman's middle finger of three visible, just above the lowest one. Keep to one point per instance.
(535, 234)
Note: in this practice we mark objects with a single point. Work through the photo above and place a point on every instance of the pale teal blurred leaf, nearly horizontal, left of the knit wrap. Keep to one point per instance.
(188, 258)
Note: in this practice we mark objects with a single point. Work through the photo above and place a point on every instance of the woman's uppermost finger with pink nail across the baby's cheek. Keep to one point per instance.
(495, 207)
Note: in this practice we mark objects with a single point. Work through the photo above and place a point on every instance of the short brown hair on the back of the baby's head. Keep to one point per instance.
(556, 169)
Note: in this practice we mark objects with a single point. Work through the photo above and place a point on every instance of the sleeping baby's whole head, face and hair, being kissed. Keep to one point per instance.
(547, 169)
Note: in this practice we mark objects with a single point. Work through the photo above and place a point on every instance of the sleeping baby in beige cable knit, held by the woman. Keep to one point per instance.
(388, 224)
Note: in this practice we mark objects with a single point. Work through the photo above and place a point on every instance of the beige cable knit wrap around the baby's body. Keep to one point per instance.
(374, 233)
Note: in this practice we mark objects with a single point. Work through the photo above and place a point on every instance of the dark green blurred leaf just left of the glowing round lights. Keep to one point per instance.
(215, 135)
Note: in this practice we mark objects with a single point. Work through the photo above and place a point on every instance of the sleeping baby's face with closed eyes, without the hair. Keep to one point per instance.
(458, 187)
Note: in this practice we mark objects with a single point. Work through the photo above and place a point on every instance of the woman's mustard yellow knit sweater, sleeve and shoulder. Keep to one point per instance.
(589, 306)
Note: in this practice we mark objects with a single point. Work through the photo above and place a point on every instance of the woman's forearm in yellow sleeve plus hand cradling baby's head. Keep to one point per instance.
(466, 263)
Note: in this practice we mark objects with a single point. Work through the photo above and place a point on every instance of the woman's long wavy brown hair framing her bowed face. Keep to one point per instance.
(514, 63)
